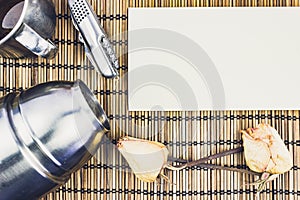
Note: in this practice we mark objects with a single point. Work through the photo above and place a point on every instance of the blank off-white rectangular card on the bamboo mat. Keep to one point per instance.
(213, 59)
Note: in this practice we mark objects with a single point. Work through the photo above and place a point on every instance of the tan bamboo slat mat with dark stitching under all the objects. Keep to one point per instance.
(188, 135)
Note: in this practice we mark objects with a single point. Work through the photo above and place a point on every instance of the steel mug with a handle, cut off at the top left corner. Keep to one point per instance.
(25, 28)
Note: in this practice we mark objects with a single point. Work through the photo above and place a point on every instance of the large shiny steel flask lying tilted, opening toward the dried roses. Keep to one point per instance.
(46, 133)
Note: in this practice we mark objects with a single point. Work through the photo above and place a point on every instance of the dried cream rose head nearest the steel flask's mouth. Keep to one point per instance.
(145, 158)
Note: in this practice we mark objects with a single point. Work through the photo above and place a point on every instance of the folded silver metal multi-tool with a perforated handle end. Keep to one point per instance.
(97, 46)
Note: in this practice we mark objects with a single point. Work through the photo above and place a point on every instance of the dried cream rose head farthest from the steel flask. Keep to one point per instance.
(265, 151)
